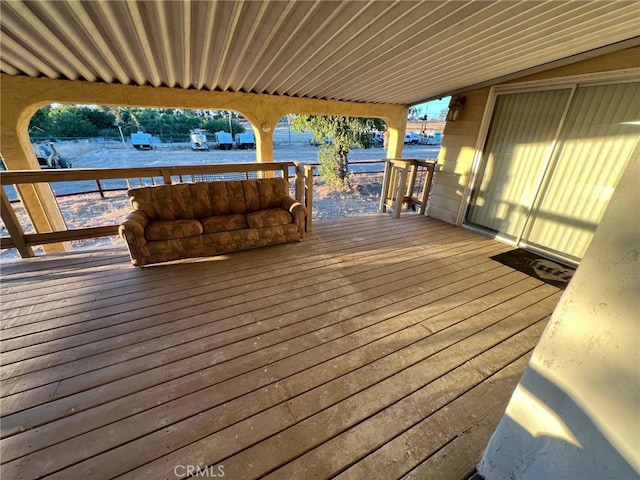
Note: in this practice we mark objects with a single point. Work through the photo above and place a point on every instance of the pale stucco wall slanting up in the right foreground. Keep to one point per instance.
(576, 411)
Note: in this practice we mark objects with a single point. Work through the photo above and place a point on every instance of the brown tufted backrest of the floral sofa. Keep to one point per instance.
(200, 200)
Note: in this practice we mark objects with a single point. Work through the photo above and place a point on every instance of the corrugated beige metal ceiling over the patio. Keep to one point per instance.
(378, 51)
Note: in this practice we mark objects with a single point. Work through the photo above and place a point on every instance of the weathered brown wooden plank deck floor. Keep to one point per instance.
(378, 348)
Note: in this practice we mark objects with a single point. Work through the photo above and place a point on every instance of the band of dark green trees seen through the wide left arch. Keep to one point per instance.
(92, 121)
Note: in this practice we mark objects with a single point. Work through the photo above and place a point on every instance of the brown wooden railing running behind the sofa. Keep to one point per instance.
(24, 242)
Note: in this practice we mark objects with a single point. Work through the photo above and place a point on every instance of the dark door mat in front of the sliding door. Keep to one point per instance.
(534, 265)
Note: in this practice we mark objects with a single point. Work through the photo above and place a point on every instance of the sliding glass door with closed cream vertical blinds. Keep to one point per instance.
(551, 162)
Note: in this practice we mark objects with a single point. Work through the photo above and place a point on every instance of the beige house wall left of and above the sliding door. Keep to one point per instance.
(460, 141)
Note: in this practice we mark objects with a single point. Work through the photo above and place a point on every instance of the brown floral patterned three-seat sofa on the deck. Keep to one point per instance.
(172, 222)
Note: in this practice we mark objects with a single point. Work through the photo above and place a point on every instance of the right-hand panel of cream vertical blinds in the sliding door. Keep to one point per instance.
(601, 132)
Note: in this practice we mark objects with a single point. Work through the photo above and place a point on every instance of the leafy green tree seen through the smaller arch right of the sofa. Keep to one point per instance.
(338, 136)
